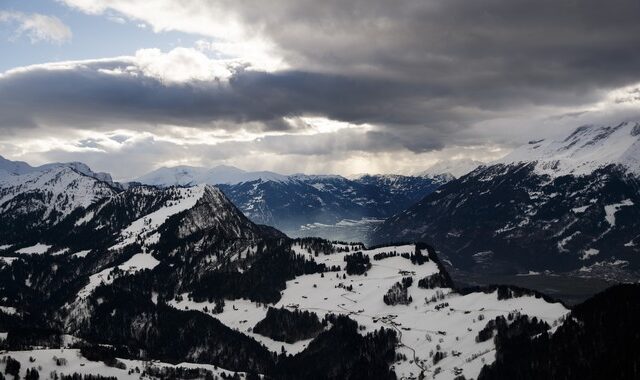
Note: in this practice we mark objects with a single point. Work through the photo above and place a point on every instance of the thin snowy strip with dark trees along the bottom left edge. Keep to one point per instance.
(75, 362)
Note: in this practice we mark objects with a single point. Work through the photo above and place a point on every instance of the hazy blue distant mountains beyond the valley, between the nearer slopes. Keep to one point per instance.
(329, 206)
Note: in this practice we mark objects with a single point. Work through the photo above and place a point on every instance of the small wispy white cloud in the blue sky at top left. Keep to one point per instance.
(38, 27)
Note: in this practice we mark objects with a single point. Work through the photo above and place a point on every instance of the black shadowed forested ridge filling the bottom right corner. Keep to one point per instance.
(600, 340)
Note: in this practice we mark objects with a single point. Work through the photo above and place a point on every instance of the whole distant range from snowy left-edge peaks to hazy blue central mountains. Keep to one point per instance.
(329, 206)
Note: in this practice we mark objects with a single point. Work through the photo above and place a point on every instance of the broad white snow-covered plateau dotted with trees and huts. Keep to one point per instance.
(422, 327)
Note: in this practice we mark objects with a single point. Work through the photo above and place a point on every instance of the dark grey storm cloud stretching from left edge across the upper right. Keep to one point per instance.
(423, 71)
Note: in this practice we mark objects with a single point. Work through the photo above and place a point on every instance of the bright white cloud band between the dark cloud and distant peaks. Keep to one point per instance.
(131, 153)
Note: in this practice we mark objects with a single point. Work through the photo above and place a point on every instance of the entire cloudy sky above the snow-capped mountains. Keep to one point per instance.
(335, 86)
